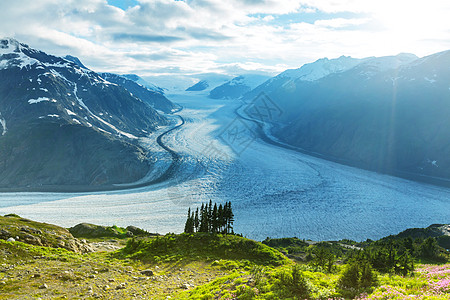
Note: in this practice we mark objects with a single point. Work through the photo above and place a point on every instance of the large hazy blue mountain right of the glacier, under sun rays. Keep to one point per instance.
(388, 114)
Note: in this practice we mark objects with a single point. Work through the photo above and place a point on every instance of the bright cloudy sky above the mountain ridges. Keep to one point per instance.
(232, 37)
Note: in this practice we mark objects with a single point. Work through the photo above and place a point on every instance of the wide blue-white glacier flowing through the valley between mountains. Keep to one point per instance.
(275, 192)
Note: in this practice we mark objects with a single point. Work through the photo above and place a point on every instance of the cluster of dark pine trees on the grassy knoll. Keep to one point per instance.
(209, 218)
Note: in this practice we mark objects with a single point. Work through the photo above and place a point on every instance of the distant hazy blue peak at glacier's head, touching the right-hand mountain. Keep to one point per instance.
(238, 86)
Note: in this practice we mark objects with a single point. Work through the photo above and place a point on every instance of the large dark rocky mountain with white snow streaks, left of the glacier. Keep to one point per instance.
(63, 124)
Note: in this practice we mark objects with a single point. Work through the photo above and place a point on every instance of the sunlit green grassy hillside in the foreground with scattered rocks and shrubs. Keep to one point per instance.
(195, 266)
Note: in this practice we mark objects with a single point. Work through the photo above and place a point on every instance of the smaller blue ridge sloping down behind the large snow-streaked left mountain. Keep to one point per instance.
(154, 99)
